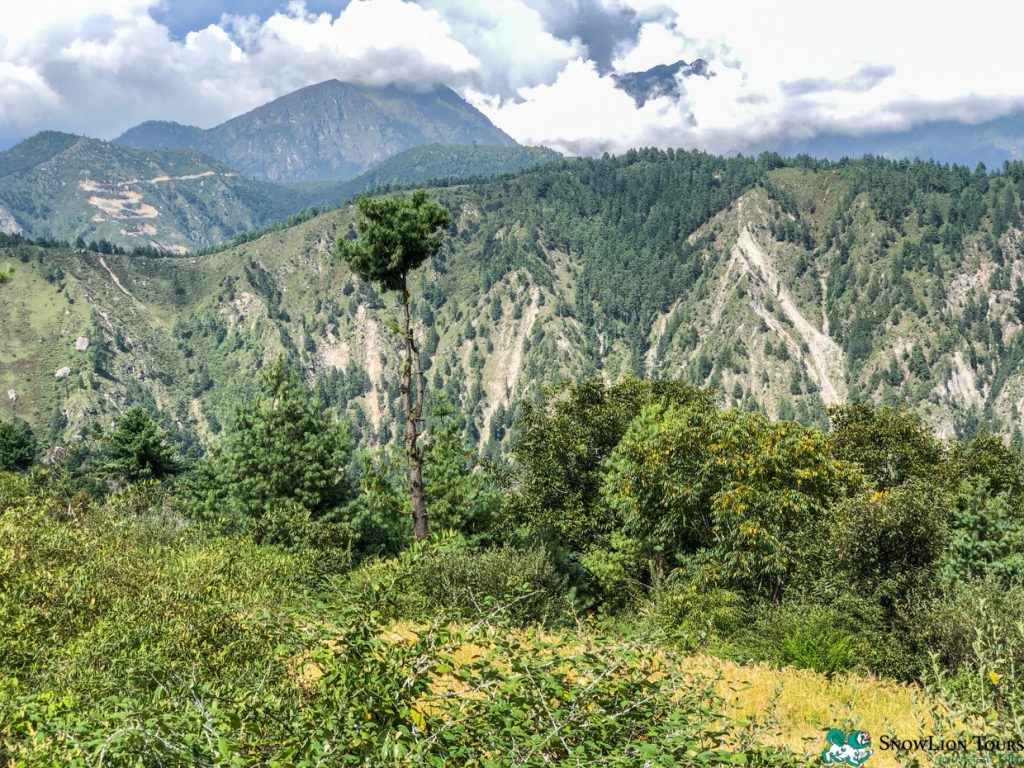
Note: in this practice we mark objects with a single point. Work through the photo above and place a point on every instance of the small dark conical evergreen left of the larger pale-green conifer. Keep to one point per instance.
(138, 450)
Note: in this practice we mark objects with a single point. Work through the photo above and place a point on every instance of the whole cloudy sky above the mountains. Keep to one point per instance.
(541, 70)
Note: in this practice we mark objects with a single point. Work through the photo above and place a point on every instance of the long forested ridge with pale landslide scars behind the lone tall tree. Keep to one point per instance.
(785, 288)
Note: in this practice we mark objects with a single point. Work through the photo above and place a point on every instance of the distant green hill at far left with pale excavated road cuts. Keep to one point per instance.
(60, 186)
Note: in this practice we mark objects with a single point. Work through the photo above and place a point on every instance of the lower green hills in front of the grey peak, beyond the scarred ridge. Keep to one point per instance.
(65, 187)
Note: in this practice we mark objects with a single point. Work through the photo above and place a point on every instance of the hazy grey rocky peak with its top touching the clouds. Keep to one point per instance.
(329, 132)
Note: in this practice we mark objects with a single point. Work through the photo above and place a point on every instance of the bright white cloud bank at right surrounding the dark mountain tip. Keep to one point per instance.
(785, 72)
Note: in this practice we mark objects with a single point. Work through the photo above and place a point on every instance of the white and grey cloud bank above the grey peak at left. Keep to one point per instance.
(109, 65)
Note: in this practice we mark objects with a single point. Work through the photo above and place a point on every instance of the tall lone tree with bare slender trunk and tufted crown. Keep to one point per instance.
(396, 236)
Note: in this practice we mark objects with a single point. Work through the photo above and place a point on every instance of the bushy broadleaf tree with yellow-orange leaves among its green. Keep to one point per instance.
(728, 496)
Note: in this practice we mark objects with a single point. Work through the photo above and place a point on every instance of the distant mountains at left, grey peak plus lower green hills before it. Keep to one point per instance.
(178, 188)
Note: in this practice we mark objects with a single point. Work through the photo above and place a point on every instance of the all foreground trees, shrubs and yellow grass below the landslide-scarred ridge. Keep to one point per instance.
(263, 606)
